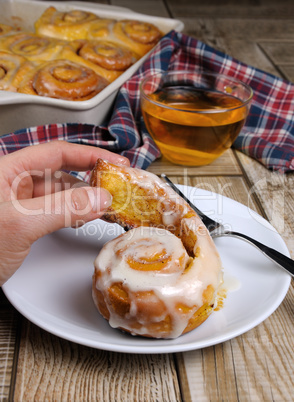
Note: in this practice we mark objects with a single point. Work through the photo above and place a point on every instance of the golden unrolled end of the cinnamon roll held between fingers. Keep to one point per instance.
(135, 204)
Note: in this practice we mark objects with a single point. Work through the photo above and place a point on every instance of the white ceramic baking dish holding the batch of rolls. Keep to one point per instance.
(20, 110)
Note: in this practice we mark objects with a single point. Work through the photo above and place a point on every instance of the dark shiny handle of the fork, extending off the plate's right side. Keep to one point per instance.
(283, 261)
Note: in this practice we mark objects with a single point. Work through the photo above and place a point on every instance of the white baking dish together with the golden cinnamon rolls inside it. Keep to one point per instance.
(64, 62)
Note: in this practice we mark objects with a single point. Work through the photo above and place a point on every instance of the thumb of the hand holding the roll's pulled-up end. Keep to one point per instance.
(72, 207)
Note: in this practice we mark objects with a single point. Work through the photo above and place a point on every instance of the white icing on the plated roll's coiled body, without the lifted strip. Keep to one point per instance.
(172, 285)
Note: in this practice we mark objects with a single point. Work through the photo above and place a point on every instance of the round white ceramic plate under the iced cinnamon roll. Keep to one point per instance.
(53, 286)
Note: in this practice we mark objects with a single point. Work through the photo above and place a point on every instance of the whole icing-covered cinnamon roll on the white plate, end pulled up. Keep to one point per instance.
(159, 279)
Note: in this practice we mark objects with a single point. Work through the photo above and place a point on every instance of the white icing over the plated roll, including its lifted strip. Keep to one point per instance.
(182, 280)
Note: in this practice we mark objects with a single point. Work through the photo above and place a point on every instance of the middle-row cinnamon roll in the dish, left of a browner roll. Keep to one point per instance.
(33, 47)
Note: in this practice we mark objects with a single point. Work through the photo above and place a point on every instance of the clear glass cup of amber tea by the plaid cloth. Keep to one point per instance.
(194, 117)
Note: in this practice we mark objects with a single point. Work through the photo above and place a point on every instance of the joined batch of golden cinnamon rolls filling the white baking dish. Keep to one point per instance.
(106, 46)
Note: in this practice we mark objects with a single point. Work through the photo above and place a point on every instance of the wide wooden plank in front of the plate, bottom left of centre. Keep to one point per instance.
(52, 369)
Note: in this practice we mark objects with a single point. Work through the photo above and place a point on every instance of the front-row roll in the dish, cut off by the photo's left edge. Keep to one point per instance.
(13, 68)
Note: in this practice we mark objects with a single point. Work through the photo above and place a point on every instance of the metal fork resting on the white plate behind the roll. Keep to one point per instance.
(217, 230)
